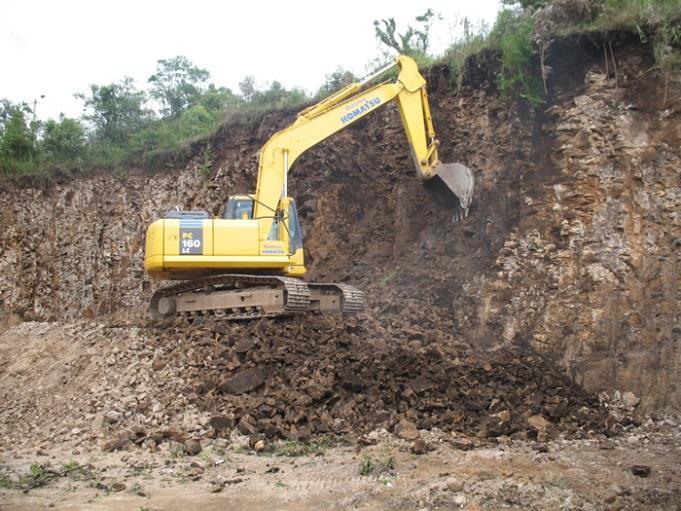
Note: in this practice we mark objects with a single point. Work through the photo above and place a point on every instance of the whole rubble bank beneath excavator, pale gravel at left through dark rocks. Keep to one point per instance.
(296, 378)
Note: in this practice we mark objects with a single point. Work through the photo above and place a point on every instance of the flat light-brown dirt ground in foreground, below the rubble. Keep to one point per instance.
(566, 475)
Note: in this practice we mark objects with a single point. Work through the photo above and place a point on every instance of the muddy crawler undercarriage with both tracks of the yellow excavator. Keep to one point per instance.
(235, 296)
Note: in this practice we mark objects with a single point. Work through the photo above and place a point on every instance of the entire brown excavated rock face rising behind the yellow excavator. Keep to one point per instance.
(572, 246)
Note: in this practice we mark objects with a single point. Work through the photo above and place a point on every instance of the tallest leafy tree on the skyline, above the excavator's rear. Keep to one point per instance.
(176, 83)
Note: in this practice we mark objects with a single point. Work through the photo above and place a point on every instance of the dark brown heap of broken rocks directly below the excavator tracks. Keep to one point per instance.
(314, 376)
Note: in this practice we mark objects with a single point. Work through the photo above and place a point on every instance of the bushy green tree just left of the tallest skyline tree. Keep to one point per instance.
(116, 109)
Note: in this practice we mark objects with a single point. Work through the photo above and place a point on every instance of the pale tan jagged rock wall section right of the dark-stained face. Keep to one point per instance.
(593, 270)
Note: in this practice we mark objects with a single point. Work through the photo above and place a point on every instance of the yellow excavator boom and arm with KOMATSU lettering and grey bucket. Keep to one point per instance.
(342, 109)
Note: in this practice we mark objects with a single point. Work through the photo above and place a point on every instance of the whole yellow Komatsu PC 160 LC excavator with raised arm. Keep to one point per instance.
(247, 264)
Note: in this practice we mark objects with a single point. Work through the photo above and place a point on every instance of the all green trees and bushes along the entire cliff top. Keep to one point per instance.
(124, 126)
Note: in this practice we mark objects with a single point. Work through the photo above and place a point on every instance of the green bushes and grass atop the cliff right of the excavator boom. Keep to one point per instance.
(523, 31)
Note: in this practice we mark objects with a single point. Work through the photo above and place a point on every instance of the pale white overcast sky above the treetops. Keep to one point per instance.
(58, 48)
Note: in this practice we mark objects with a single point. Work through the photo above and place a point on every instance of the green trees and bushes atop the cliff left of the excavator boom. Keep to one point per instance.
(124, 126)
